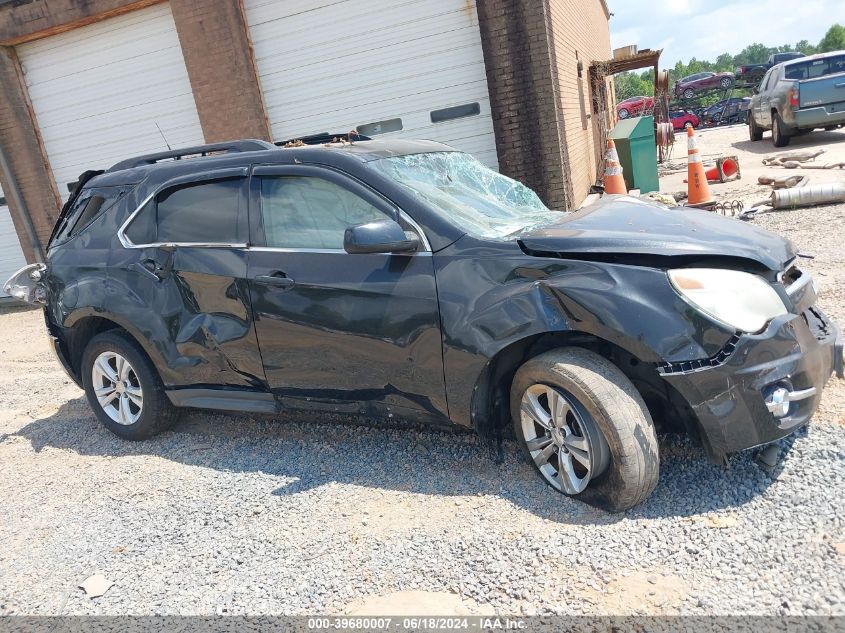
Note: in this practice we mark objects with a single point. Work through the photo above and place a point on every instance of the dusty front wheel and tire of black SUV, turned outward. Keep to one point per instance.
(604, 415)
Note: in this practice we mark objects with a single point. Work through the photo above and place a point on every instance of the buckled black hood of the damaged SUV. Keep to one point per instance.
(624, 225)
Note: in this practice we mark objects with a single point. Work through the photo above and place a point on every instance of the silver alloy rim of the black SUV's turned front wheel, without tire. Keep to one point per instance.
(566, 444)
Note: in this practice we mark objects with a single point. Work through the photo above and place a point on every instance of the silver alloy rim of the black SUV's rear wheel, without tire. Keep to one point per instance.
(117, 388)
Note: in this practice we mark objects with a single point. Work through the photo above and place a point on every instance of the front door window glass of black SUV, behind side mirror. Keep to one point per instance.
(309, 212)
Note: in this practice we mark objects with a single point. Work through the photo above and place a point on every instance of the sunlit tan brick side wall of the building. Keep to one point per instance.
(580, 32)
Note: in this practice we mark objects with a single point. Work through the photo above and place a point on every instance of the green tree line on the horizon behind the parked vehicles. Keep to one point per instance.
(632, 84)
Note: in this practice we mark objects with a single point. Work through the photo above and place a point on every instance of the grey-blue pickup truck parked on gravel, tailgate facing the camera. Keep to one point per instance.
(799, 96)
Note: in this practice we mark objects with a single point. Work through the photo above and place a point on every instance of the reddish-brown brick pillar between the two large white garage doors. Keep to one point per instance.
(218, 55)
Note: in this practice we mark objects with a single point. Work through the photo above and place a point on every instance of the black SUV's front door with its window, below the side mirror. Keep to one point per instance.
(337, 330)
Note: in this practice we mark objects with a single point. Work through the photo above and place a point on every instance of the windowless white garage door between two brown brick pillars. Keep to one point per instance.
(99, 91)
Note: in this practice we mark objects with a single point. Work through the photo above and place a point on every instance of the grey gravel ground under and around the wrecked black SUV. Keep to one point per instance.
(239, 515)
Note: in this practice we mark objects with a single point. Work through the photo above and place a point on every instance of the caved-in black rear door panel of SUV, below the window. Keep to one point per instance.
(197, 317)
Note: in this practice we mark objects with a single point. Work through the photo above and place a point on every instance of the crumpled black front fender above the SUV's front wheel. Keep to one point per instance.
(494, 296)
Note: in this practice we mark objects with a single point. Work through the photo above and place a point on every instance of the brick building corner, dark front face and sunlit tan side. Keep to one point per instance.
(546, 133)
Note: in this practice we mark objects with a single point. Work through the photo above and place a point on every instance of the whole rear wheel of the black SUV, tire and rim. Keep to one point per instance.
(138, 408)
